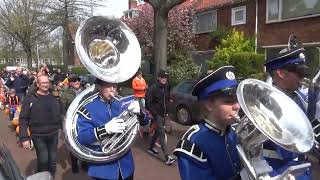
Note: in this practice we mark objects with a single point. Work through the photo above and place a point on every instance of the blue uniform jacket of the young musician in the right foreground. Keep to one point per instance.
(217, 158)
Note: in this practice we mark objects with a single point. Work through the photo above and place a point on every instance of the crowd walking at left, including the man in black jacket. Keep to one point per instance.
(36, 102)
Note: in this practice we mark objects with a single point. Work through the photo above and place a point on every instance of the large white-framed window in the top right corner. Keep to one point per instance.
(284, 10)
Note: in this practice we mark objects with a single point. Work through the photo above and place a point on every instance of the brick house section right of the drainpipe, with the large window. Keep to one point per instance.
(277, 19)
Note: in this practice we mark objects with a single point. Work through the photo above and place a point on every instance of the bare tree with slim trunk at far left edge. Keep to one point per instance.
(25, 21)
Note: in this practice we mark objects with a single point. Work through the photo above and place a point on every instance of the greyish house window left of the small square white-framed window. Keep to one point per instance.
(205, 22)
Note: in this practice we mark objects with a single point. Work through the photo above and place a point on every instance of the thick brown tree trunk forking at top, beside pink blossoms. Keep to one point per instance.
(161, 9)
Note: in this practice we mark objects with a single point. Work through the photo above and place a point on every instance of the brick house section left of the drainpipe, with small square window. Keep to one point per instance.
(213, 14)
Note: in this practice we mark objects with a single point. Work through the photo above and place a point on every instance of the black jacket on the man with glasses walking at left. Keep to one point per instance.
(42, 114)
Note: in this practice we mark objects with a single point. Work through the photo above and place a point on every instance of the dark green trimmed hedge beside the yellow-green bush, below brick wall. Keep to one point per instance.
(248, 64)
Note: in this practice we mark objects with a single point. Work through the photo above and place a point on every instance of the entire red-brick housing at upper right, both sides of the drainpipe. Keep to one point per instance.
(276, 20)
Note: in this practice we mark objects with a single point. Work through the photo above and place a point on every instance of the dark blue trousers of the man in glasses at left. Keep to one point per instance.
(46, 150)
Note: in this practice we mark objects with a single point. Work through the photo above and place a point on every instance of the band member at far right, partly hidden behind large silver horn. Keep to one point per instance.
(287, 70)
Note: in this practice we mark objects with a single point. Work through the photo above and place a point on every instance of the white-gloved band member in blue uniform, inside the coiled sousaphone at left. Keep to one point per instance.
(99, 119)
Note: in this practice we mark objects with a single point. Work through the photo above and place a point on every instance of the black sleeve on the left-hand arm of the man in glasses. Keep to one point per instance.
(24, 119)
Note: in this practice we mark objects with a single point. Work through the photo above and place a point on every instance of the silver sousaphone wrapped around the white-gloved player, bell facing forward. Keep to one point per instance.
(111, 52)
